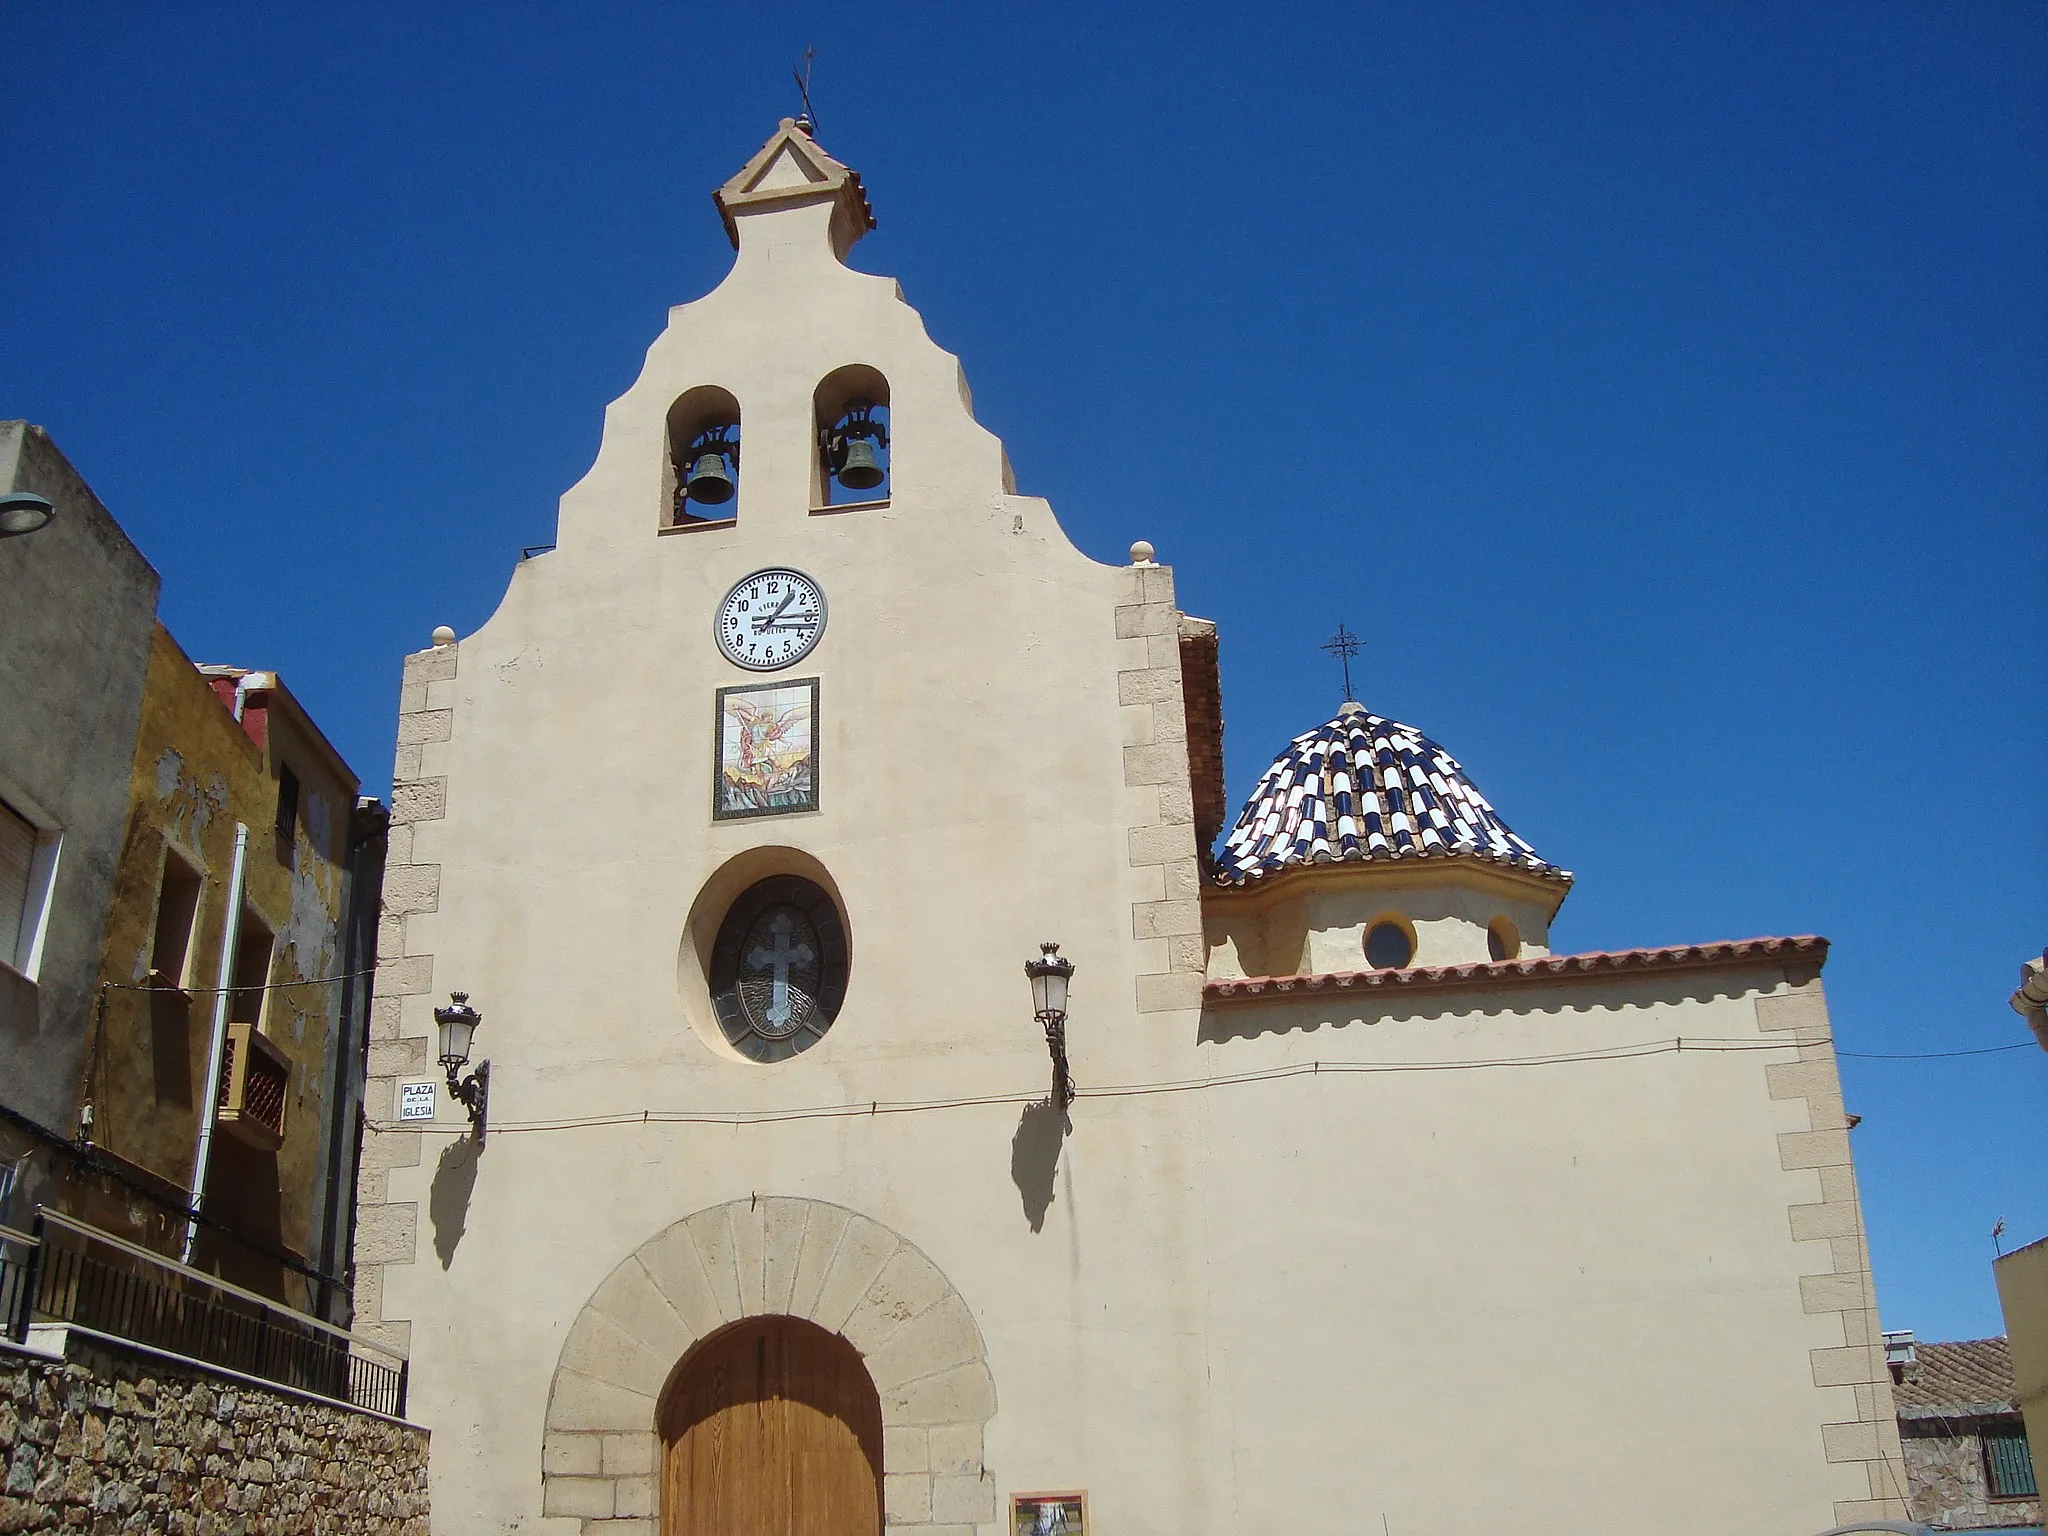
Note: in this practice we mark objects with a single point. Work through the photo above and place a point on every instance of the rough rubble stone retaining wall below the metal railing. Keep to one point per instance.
(118, 1441)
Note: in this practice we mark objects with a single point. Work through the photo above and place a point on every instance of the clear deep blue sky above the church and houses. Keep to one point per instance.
(1660, 390)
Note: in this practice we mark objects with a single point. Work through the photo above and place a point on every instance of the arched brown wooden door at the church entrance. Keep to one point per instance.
(773, 1431)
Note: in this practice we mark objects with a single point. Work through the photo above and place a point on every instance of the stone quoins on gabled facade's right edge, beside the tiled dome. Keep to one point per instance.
(1168, 921)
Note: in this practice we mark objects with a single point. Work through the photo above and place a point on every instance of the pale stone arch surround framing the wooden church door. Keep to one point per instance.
(771, 1256)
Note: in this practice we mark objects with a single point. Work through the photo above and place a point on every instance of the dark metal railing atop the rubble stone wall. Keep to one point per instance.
(75, 1275)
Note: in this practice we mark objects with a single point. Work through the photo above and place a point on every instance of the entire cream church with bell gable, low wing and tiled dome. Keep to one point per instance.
(740, 820)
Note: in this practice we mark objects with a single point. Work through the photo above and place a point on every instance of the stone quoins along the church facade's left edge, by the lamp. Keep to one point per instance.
(390, 1232)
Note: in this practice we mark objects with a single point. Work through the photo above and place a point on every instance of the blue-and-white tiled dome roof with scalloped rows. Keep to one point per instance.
(1367, 790)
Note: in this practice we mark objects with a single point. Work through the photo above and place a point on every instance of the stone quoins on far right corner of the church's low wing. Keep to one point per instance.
(1846, 1289)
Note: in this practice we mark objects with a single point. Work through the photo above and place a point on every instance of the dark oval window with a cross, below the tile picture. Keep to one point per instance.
(779, 968)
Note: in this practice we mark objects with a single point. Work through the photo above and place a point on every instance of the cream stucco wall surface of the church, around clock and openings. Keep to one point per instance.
(1564, 1295)
